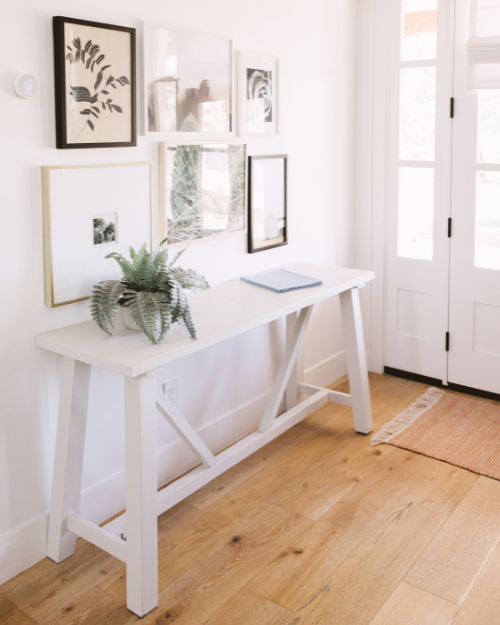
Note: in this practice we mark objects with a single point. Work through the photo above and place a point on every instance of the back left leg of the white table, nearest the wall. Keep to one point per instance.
(67, 480)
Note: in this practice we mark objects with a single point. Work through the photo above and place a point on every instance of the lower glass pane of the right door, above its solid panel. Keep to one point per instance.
(487, 240)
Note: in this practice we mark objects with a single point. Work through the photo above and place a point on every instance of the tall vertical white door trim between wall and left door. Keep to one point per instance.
(371, 187)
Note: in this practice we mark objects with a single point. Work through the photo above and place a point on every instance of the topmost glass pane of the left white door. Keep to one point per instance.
(419, 30)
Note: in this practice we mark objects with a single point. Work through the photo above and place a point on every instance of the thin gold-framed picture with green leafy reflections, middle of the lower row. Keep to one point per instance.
(203, 191)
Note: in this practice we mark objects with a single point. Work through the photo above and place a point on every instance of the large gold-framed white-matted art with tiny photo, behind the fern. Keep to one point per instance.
(88, 212)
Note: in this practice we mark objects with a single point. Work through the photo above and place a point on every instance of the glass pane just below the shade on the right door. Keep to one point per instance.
(488, 126)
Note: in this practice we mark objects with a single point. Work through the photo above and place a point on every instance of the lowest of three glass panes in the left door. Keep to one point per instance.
(415, 212)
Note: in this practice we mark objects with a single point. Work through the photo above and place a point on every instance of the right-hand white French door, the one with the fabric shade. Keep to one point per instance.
(474, 323)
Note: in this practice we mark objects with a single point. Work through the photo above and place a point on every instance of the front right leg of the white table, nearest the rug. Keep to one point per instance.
(356, 361)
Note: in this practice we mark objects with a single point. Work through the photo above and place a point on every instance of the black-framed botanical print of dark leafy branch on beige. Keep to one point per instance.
(95, 85)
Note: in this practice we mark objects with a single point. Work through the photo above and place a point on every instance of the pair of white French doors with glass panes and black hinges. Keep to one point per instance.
(443, 292)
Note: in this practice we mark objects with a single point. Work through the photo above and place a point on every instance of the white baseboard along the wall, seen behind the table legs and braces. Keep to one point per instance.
(26, 545)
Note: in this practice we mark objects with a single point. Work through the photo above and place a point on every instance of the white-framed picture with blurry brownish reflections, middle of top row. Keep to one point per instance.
(188, 86)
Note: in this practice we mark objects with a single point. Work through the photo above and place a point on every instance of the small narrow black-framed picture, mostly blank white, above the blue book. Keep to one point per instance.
(267, 214)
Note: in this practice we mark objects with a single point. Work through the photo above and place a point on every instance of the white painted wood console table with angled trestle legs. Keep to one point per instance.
(222, 312)
